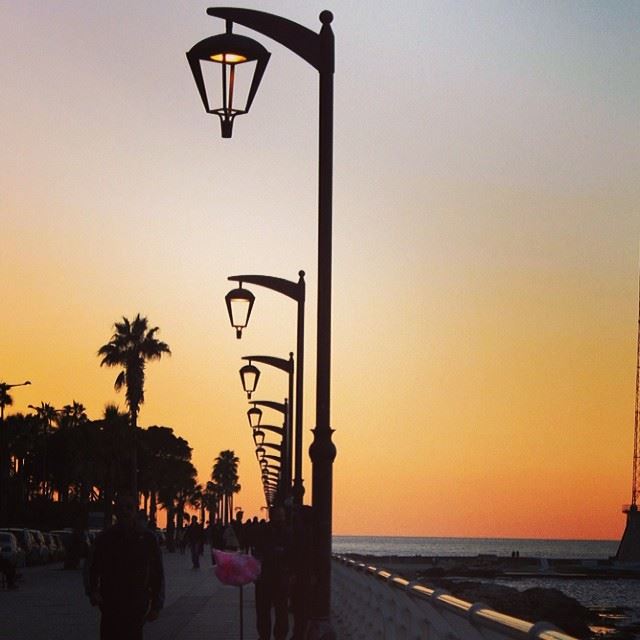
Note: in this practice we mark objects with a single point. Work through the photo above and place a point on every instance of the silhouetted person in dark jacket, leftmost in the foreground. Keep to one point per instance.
(126, 576)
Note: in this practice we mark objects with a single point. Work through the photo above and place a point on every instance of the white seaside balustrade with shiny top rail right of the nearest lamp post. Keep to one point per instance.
(371, 603)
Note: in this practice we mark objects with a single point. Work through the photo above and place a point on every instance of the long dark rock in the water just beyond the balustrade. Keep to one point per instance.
(532, 605)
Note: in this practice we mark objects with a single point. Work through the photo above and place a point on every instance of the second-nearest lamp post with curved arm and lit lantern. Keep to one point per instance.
(239, 304)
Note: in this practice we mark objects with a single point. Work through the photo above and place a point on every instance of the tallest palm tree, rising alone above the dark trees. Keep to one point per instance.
(132, 344)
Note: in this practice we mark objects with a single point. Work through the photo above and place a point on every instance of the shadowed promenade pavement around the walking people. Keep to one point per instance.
(50, 604)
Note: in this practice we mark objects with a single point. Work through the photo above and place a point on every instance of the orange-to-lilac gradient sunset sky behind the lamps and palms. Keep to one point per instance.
(486, 230)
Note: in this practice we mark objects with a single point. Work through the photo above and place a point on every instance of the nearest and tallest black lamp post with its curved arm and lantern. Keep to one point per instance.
(317, 49)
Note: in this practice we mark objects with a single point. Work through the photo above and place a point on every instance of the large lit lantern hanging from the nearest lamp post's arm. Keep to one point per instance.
(231, 52)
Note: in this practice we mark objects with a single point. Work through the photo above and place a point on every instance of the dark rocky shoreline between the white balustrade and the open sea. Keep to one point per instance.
(461, 577)
